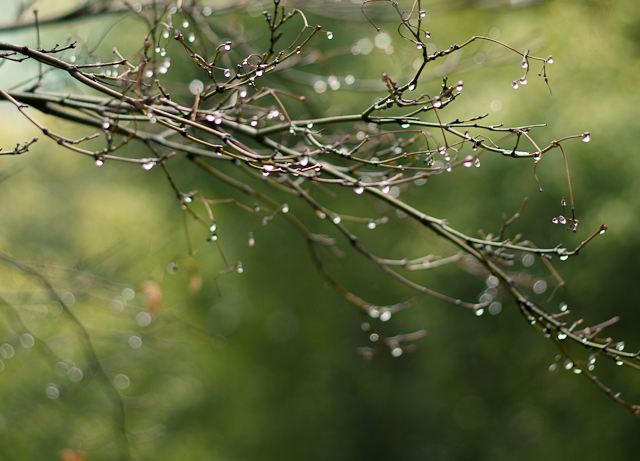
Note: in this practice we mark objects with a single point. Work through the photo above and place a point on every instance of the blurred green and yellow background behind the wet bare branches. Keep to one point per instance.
(263, 365)
